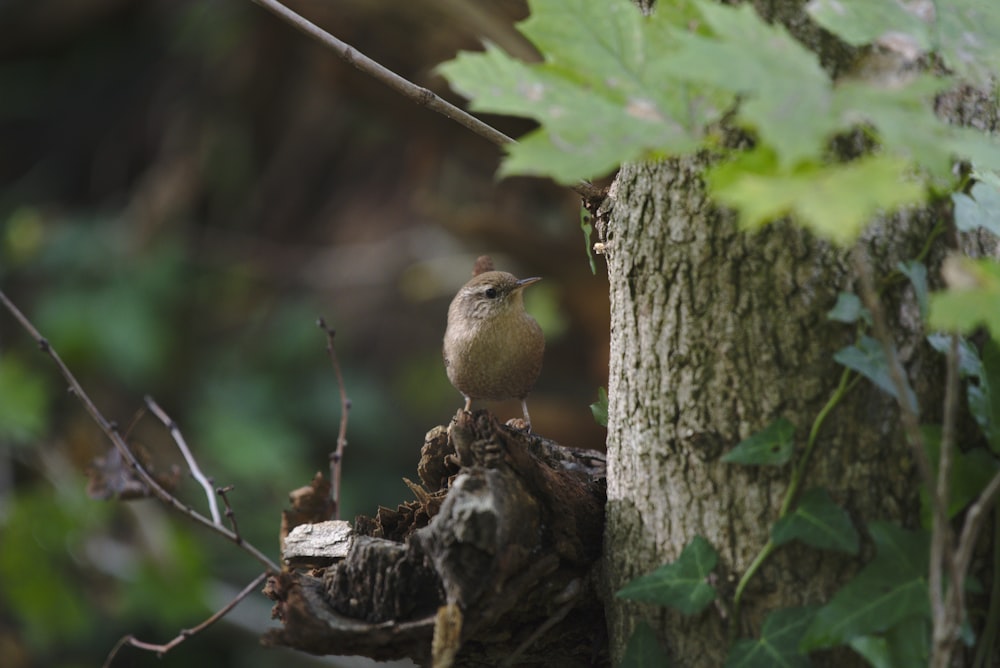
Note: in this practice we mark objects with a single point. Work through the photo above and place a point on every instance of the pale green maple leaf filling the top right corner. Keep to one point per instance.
(962, 32)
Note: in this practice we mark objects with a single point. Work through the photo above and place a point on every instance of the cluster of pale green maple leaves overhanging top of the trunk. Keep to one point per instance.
(618, 86)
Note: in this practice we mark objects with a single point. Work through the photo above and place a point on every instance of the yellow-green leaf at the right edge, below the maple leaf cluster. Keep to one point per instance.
(972, 299)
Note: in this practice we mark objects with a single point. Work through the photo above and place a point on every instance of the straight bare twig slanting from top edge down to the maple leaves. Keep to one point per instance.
(417, 94)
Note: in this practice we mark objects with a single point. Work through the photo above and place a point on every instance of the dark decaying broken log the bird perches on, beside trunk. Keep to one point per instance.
(492, 563)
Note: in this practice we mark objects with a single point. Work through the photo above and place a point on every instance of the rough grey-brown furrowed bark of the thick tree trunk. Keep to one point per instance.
(716, 333)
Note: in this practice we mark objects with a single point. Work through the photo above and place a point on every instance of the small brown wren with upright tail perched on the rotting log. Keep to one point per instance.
(492, 348)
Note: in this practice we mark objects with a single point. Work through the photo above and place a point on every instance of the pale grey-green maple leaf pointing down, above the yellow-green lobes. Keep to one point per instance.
(785, 92)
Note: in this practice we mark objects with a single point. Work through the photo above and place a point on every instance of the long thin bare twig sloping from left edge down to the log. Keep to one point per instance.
(111, 431)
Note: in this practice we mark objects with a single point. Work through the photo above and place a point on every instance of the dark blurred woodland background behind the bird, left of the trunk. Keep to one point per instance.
(185, 186)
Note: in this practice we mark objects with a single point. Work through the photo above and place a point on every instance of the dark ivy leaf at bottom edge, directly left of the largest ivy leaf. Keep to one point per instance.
(778, 645)
